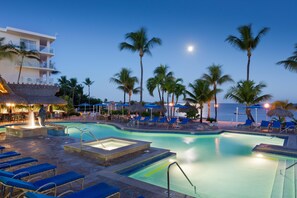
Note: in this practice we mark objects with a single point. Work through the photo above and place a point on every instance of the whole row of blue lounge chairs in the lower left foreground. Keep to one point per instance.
(17, 182)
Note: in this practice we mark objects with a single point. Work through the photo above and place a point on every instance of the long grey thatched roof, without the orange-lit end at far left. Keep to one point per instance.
(37, 94)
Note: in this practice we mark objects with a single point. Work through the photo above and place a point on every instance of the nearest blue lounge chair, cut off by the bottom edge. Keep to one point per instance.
(96, 191)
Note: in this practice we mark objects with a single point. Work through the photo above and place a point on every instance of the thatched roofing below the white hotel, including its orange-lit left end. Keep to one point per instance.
(29, 93)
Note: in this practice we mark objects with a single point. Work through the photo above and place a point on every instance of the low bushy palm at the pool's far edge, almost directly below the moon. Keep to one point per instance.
(200, 94)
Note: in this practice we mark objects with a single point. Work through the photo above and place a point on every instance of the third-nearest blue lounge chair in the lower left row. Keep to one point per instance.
(28, 171)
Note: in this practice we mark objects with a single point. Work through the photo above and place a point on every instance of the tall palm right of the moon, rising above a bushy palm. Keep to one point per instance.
(246, 42)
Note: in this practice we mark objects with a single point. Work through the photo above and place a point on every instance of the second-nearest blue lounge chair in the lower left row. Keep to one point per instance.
(46, 185)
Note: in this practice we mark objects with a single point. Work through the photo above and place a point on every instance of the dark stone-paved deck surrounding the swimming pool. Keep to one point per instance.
(49, 149)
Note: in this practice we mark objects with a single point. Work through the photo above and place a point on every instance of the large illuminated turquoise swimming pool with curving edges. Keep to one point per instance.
(219, 165)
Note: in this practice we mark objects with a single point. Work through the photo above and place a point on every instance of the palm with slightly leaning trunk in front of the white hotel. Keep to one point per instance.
(23, 52)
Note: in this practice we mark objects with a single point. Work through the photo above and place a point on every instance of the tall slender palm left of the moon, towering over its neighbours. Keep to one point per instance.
(140, 43)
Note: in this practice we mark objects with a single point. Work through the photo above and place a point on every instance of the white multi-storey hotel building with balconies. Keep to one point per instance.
(33, 71)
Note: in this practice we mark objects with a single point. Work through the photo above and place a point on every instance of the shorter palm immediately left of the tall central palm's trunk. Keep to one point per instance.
(124, 79)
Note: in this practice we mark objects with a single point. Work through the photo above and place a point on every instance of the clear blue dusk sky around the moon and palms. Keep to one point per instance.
(89, 32)
